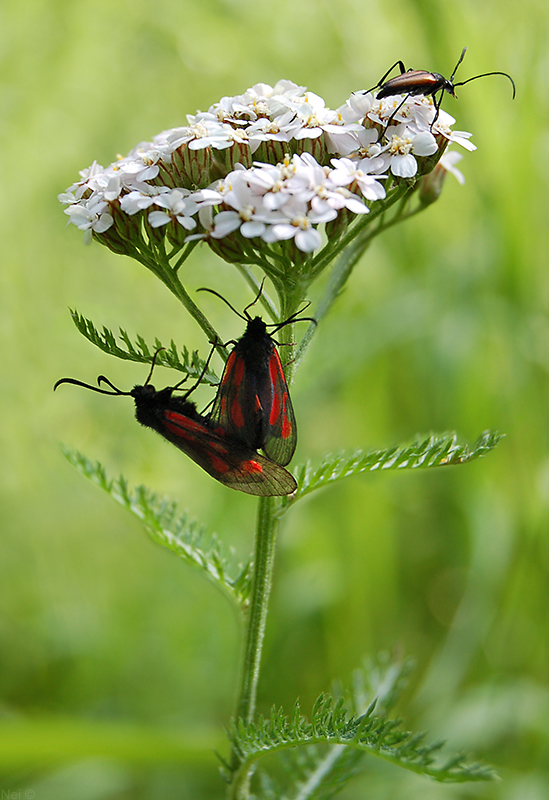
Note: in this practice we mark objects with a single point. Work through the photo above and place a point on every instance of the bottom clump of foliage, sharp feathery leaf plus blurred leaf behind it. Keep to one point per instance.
(324, 753)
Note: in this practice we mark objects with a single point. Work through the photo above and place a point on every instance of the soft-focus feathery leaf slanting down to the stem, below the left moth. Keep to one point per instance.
(170, 528)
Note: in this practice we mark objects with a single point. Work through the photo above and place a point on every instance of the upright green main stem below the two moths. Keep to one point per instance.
(262, 580)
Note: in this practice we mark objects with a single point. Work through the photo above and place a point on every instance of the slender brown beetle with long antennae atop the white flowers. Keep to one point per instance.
(414, 82)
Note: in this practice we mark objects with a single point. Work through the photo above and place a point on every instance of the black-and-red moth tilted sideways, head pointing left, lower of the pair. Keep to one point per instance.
(176, 419)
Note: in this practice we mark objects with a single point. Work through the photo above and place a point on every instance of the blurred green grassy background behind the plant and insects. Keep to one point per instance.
(118, 662)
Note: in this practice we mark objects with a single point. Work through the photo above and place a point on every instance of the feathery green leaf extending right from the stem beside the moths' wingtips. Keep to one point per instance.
(434, 451)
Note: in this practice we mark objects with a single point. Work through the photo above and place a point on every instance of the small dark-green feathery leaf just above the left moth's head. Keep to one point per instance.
(184, 361)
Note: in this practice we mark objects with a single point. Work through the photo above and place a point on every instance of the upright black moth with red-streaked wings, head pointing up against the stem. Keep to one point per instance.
(253, 401)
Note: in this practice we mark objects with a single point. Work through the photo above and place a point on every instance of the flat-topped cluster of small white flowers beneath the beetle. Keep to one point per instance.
(273, 163)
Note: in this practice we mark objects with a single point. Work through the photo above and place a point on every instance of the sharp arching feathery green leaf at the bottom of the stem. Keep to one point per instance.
(333, 724)
